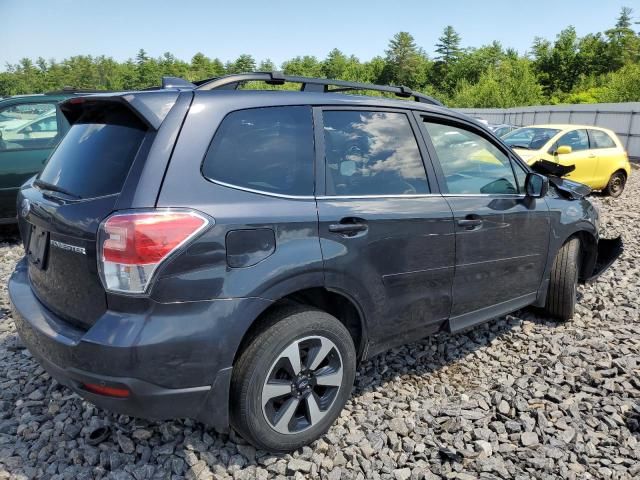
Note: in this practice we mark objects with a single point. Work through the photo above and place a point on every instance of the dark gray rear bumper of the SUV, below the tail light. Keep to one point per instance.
(174, 359)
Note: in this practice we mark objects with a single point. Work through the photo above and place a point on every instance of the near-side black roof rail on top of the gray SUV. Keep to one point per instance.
(232, 82)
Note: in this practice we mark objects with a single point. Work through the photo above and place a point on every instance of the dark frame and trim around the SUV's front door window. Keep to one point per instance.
(422, 117)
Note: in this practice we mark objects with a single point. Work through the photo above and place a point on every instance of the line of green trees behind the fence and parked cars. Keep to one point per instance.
(598, 67)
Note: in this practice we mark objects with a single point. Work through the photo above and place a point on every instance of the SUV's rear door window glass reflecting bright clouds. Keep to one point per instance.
(372, 153)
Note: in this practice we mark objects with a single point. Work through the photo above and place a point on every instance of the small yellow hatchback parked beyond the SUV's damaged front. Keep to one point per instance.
(598, 156)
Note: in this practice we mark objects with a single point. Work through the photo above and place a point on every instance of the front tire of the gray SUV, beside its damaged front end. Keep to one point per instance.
(563, 283)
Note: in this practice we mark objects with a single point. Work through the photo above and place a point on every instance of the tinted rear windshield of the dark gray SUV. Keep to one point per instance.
(95, 156)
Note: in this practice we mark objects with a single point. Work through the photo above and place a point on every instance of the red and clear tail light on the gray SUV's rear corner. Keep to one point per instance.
(133, 245)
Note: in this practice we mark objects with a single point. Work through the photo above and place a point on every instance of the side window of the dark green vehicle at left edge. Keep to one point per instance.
(28, 126)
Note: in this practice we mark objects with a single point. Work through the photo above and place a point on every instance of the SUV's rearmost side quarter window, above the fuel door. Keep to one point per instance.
(267, 149)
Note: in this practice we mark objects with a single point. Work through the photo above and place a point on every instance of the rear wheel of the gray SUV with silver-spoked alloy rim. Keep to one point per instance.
(293, 379)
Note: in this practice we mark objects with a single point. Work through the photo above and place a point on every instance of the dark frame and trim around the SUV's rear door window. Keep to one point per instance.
(321, 180)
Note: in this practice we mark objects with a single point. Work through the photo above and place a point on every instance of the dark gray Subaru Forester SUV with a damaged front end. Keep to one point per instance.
(230, 255)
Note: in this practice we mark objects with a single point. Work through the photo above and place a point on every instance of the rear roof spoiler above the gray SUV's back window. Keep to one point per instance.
(149, 106)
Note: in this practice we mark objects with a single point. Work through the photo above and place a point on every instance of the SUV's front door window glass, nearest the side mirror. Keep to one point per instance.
(470, 163)
